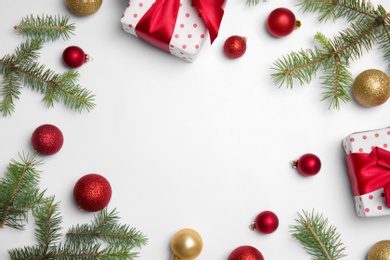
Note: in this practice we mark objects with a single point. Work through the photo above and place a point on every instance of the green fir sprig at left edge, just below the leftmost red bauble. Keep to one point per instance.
(19, 191)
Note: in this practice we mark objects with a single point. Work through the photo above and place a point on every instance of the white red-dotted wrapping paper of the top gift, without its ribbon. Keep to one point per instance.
(189, 33)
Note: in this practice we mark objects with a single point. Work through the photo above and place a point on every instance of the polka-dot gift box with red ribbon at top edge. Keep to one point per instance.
(176, 27)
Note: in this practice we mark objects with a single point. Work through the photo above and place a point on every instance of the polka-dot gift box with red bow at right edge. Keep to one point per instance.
(368, 164)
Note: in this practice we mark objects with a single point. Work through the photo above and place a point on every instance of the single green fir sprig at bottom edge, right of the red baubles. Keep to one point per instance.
(320, 240)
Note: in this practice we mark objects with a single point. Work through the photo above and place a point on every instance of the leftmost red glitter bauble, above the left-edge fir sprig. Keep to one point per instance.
(47, 139)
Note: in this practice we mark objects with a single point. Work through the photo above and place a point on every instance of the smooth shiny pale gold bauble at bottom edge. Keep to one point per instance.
(186, 244)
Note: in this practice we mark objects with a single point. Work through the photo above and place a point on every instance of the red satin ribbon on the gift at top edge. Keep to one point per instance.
(157, 25)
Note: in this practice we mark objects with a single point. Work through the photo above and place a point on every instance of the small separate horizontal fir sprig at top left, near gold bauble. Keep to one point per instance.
(46, 27)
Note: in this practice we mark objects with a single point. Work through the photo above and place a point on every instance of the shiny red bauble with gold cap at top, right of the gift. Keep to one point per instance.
(281, 22)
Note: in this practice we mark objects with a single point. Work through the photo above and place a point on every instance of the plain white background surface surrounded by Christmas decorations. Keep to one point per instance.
(204, 145)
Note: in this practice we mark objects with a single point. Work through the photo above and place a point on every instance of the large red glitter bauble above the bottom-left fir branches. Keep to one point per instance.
(92, 192)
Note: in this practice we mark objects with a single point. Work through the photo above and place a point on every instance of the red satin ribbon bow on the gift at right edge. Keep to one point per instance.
(369, 172)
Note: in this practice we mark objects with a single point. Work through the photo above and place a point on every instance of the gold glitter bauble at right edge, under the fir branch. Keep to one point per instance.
(371, 88)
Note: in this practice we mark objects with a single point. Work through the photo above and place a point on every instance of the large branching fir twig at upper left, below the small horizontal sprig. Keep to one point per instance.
(21, 68)
